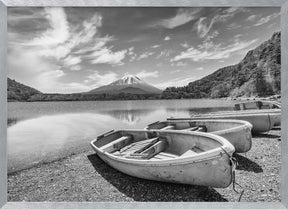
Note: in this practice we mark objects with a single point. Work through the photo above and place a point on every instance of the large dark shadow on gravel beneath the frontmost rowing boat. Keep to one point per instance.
(153, 191)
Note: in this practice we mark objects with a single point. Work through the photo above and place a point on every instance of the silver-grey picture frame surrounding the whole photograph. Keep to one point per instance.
(4, 4)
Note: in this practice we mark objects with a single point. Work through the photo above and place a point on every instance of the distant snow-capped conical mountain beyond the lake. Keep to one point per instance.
(129, 84)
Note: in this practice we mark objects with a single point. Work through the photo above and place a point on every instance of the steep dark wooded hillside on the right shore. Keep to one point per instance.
(258, 74)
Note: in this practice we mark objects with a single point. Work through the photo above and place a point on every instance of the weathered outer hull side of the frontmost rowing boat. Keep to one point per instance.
(213, 172)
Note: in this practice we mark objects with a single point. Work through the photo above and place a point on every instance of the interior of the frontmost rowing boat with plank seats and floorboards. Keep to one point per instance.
(153, 145)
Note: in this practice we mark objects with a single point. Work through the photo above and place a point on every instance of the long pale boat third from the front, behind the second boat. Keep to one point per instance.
(261, 121)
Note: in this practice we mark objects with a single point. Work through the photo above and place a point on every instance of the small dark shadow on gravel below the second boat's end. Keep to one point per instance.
(247, 164)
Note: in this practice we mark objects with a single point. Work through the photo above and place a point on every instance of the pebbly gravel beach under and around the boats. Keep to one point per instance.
(85, 177)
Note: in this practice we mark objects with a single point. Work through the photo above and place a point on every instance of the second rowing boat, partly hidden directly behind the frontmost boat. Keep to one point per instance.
(237, 132)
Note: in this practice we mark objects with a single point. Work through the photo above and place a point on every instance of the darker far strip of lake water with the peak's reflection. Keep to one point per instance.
(19, 111)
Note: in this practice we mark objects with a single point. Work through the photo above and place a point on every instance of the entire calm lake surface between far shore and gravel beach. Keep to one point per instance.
(41, 132)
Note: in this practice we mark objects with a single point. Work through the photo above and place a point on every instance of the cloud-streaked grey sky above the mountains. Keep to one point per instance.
(70, 50)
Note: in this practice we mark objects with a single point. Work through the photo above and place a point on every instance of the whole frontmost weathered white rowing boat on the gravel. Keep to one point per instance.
(171, 156)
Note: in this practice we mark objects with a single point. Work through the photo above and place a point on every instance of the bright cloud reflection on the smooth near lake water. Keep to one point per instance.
(47, 138)
